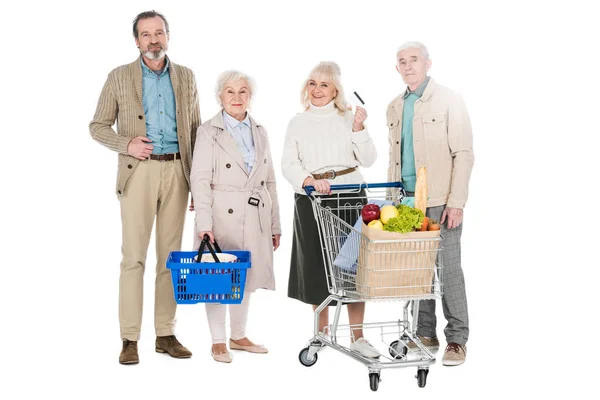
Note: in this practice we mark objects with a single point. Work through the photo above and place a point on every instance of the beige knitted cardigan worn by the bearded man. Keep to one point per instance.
(121, 101)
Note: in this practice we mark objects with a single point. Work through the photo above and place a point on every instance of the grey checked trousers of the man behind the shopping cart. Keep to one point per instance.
(454, 300)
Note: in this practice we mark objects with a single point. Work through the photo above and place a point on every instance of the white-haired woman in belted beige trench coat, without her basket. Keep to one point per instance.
(233, 187)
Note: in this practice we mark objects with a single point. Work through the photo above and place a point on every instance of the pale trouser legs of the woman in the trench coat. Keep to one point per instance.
(238, 316)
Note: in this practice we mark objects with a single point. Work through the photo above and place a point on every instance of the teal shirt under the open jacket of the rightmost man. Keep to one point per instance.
(409, 173)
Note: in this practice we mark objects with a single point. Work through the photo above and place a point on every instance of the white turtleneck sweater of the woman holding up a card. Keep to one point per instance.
(319, 140)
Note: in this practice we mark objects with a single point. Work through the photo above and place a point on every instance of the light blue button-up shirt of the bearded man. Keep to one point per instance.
(158, 99)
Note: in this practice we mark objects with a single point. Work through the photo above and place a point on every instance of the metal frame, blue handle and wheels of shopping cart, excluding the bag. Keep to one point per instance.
(403, 330)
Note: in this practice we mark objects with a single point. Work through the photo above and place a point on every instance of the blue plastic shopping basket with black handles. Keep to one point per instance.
(202, 282)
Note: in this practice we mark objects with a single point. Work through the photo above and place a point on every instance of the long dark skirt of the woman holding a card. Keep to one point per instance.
(308, 281)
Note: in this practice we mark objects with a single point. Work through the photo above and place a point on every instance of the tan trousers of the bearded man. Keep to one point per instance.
(157, 189)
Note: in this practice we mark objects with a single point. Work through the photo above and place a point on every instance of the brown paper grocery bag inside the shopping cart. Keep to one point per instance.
(396, 265)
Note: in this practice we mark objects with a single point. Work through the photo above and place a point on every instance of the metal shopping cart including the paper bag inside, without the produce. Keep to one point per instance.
(359, 268)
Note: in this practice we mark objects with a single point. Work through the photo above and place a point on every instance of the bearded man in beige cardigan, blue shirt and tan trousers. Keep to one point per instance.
(155, 102)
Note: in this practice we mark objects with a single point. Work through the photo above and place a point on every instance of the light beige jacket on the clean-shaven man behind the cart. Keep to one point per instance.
(442, 141)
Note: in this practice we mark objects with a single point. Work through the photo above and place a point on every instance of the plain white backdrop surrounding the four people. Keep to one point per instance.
(528, 72)
